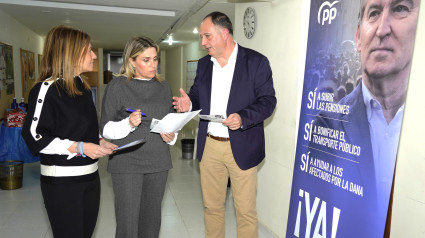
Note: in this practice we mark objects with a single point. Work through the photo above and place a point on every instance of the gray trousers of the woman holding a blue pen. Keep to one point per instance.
(138, 199)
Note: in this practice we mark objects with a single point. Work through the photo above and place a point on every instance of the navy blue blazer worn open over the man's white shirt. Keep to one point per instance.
(252, 96)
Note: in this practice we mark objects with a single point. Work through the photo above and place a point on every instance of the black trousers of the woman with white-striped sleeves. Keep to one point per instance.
(72, 208)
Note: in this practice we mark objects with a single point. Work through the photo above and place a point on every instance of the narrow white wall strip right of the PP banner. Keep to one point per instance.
(409, 191)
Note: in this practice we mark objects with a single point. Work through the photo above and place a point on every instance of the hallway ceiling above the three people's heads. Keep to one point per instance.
(110, 23)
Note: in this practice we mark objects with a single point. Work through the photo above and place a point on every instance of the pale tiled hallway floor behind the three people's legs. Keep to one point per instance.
(22, 213)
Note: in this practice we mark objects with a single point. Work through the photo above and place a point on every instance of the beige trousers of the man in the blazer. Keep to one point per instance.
(216, 166)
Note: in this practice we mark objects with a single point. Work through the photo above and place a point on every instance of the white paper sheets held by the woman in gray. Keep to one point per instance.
(172, 122)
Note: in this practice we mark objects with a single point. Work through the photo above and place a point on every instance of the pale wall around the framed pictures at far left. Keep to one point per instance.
(19, 36)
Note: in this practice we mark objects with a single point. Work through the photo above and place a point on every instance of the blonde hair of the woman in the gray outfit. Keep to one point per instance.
(134, 47)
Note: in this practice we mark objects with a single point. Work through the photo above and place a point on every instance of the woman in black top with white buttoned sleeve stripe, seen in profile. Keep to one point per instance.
(62, 126)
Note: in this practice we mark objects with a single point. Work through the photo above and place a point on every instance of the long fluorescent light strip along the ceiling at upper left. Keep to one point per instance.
(88, 7)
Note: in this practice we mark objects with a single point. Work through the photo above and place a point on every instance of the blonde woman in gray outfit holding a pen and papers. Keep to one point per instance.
(139, 174)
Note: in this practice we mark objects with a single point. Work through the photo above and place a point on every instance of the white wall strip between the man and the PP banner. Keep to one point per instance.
(278, 38)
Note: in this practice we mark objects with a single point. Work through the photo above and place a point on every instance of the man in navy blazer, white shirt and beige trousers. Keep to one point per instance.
(237, 83)
